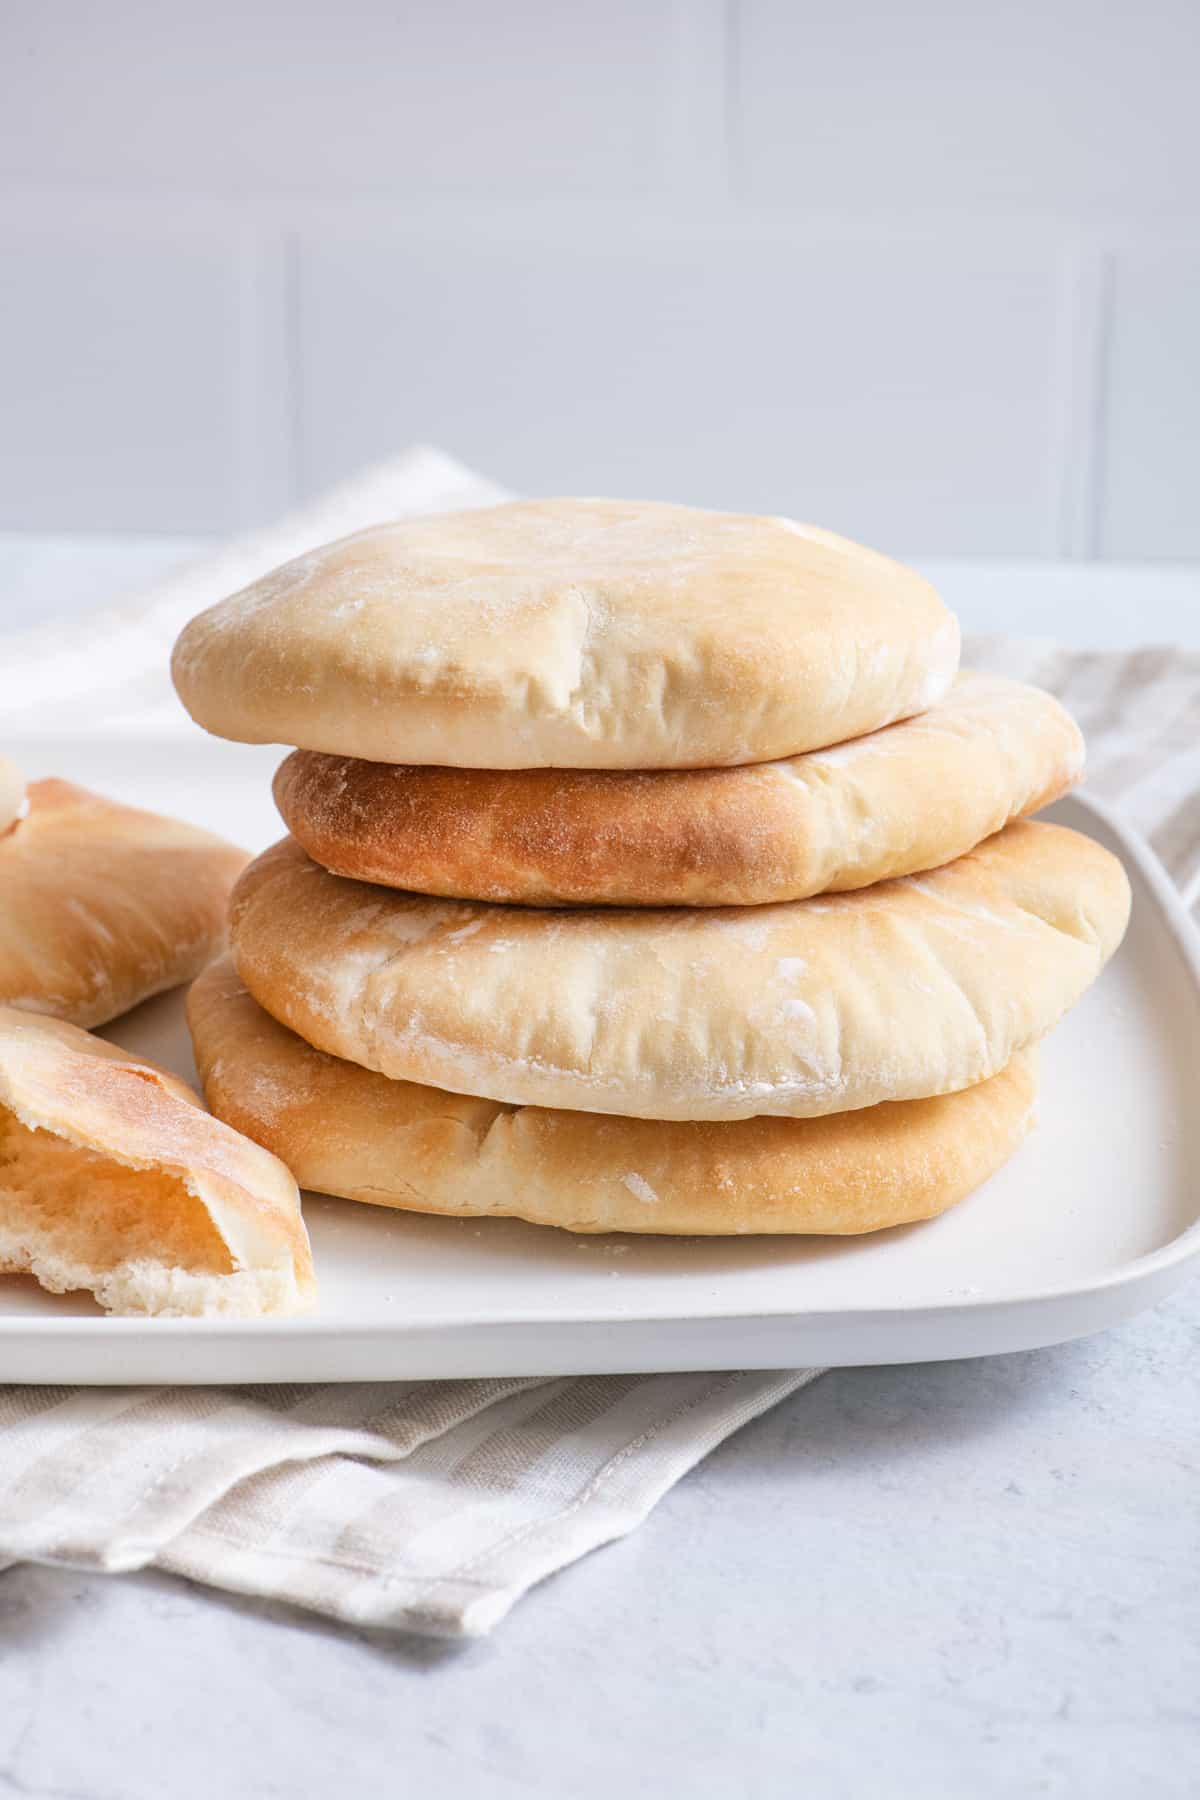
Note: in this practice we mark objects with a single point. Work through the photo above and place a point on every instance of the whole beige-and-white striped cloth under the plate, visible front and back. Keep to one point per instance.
(431, 1506)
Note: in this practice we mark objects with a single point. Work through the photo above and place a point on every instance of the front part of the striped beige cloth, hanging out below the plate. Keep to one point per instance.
(411, 1506)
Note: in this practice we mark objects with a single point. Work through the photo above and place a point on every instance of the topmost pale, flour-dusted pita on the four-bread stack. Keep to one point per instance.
(582, 634)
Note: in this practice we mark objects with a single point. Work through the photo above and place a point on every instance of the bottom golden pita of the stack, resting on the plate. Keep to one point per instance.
(420, 1149)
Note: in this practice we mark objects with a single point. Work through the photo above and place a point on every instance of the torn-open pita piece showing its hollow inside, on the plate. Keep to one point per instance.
(116, 1180)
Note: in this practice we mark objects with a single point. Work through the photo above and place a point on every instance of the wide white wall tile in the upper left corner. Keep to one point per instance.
(379, 94)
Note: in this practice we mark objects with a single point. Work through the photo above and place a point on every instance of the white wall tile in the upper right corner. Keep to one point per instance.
(1066, 109)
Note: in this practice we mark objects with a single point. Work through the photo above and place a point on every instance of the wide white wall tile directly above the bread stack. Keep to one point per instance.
(850, 386)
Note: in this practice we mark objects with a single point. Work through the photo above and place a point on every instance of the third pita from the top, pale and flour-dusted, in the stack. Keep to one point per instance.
(911, 989)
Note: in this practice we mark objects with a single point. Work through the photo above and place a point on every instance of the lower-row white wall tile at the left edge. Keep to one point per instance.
(118, 406)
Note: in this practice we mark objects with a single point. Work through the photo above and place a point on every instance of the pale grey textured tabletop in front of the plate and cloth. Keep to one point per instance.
(949, 1579)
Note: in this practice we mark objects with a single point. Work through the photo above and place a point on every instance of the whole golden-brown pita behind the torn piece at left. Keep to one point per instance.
(103, 906)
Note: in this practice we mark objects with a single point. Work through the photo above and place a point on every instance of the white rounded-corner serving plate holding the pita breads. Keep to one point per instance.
(1097, 1216)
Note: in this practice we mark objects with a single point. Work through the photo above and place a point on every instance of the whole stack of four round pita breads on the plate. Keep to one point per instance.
(649, 870)
